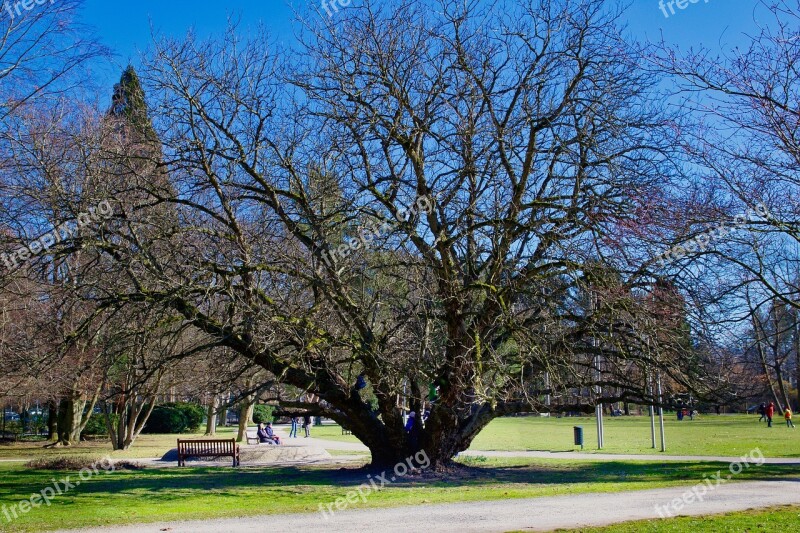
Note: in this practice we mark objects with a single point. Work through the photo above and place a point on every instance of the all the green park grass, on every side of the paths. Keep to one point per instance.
(197, 493)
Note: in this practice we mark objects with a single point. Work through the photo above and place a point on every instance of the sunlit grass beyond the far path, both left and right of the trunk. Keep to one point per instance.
(726, 435)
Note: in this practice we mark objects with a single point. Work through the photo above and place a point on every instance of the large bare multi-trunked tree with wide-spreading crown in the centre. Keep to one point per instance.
(409, 212)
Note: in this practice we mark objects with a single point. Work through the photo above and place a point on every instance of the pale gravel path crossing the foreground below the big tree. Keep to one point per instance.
(534, 514)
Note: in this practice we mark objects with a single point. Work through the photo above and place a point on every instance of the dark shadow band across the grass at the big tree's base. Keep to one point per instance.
(167, 484)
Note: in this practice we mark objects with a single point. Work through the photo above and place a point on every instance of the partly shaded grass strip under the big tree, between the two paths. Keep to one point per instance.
(196, 493)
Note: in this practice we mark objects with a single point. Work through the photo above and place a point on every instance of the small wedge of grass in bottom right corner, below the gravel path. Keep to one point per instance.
(776, 519)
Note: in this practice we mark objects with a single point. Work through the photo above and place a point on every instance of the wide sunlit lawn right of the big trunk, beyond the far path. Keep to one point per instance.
(727, 435)
